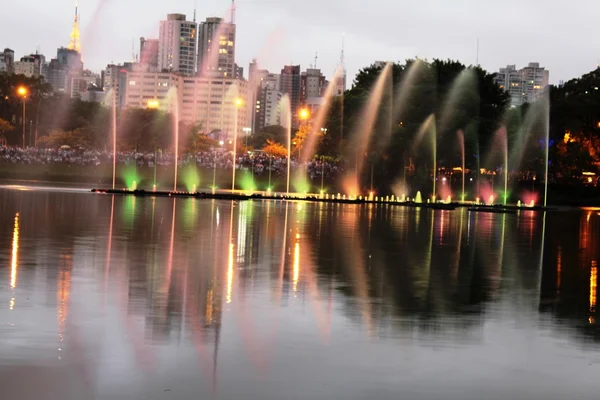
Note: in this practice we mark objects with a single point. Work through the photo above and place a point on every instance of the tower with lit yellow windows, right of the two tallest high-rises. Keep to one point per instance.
(216, 48)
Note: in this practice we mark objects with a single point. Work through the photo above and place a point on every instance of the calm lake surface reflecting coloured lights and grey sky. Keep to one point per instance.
(107, 297)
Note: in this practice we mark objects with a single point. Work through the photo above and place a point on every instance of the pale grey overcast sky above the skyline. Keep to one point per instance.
(561, 35)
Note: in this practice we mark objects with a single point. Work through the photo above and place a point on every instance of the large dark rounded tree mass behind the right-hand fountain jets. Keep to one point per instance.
(460, 97)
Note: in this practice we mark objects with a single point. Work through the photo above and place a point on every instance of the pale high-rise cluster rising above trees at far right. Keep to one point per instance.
(525, 85)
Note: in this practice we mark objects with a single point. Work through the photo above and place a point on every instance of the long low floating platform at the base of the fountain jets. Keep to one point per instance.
(319, 199)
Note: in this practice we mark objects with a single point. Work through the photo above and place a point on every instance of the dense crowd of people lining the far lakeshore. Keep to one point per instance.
(257, 162)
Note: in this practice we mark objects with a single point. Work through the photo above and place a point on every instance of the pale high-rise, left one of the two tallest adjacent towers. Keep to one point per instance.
(177, 45)
